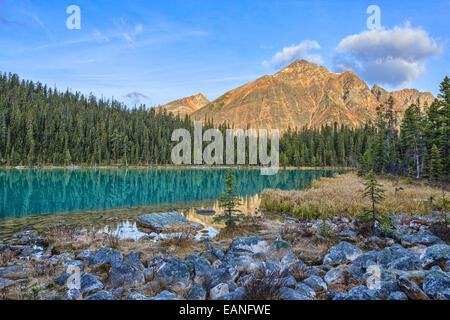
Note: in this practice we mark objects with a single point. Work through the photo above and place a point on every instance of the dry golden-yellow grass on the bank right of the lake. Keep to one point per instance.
(342, 194)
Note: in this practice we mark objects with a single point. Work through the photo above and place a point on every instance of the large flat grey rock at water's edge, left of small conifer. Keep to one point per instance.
(164, 220)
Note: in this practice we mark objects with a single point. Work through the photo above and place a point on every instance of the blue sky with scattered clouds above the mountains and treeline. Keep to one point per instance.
(155, 51)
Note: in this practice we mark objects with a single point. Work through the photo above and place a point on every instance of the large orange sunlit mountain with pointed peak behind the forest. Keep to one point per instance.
(302, 94)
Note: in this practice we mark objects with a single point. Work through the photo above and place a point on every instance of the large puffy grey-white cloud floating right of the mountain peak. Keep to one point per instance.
(393, 57)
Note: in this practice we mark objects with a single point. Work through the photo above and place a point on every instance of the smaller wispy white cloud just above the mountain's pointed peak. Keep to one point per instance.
(300, 51)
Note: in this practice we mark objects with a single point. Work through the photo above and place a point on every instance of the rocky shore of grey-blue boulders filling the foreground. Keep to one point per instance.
(288, 260)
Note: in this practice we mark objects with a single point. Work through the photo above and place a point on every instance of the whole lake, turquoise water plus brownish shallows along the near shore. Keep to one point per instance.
(41, 197)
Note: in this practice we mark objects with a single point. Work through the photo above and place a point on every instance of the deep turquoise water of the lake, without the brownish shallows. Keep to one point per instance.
(36, 192)
